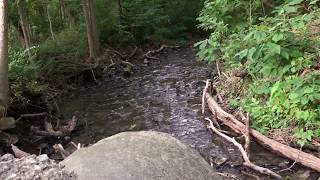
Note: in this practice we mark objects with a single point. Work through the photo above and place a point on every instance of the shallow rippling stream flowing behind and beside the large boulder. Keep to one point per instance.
(164, 96)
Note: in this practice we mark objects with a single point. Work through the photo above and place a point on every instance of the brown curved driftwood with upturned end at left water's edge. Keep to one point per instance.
(51, 132)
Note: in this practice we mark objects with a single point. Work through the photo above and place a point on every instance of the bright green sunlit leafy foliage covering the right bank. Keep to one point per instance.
(279, 49)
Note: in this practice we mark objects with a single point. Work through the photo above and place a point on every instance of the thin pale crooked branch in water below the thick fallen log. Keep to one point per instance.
(245, 157)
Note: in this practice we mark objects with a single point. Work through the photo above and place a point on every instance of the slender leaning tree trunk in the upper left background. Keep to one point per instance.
(24, 25)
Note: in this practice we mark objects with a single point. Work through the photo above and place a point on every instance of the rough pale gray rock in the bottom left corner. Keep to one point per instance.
(32, 167)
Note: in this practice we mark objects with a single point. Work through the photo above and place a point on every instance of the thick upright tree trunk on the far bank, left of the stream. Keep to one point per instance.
(91, 24)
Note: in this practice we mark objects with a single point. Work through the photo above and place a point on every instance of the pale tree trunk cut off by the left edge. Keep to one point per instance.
(4, 85)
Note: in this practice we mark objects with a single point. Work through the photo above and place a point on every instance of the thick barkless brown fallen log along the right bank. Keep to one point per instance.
(229, 120)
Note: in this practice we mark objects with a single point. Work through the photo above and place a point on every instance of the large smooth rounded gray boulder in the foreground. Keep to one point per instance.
(145, 155)
